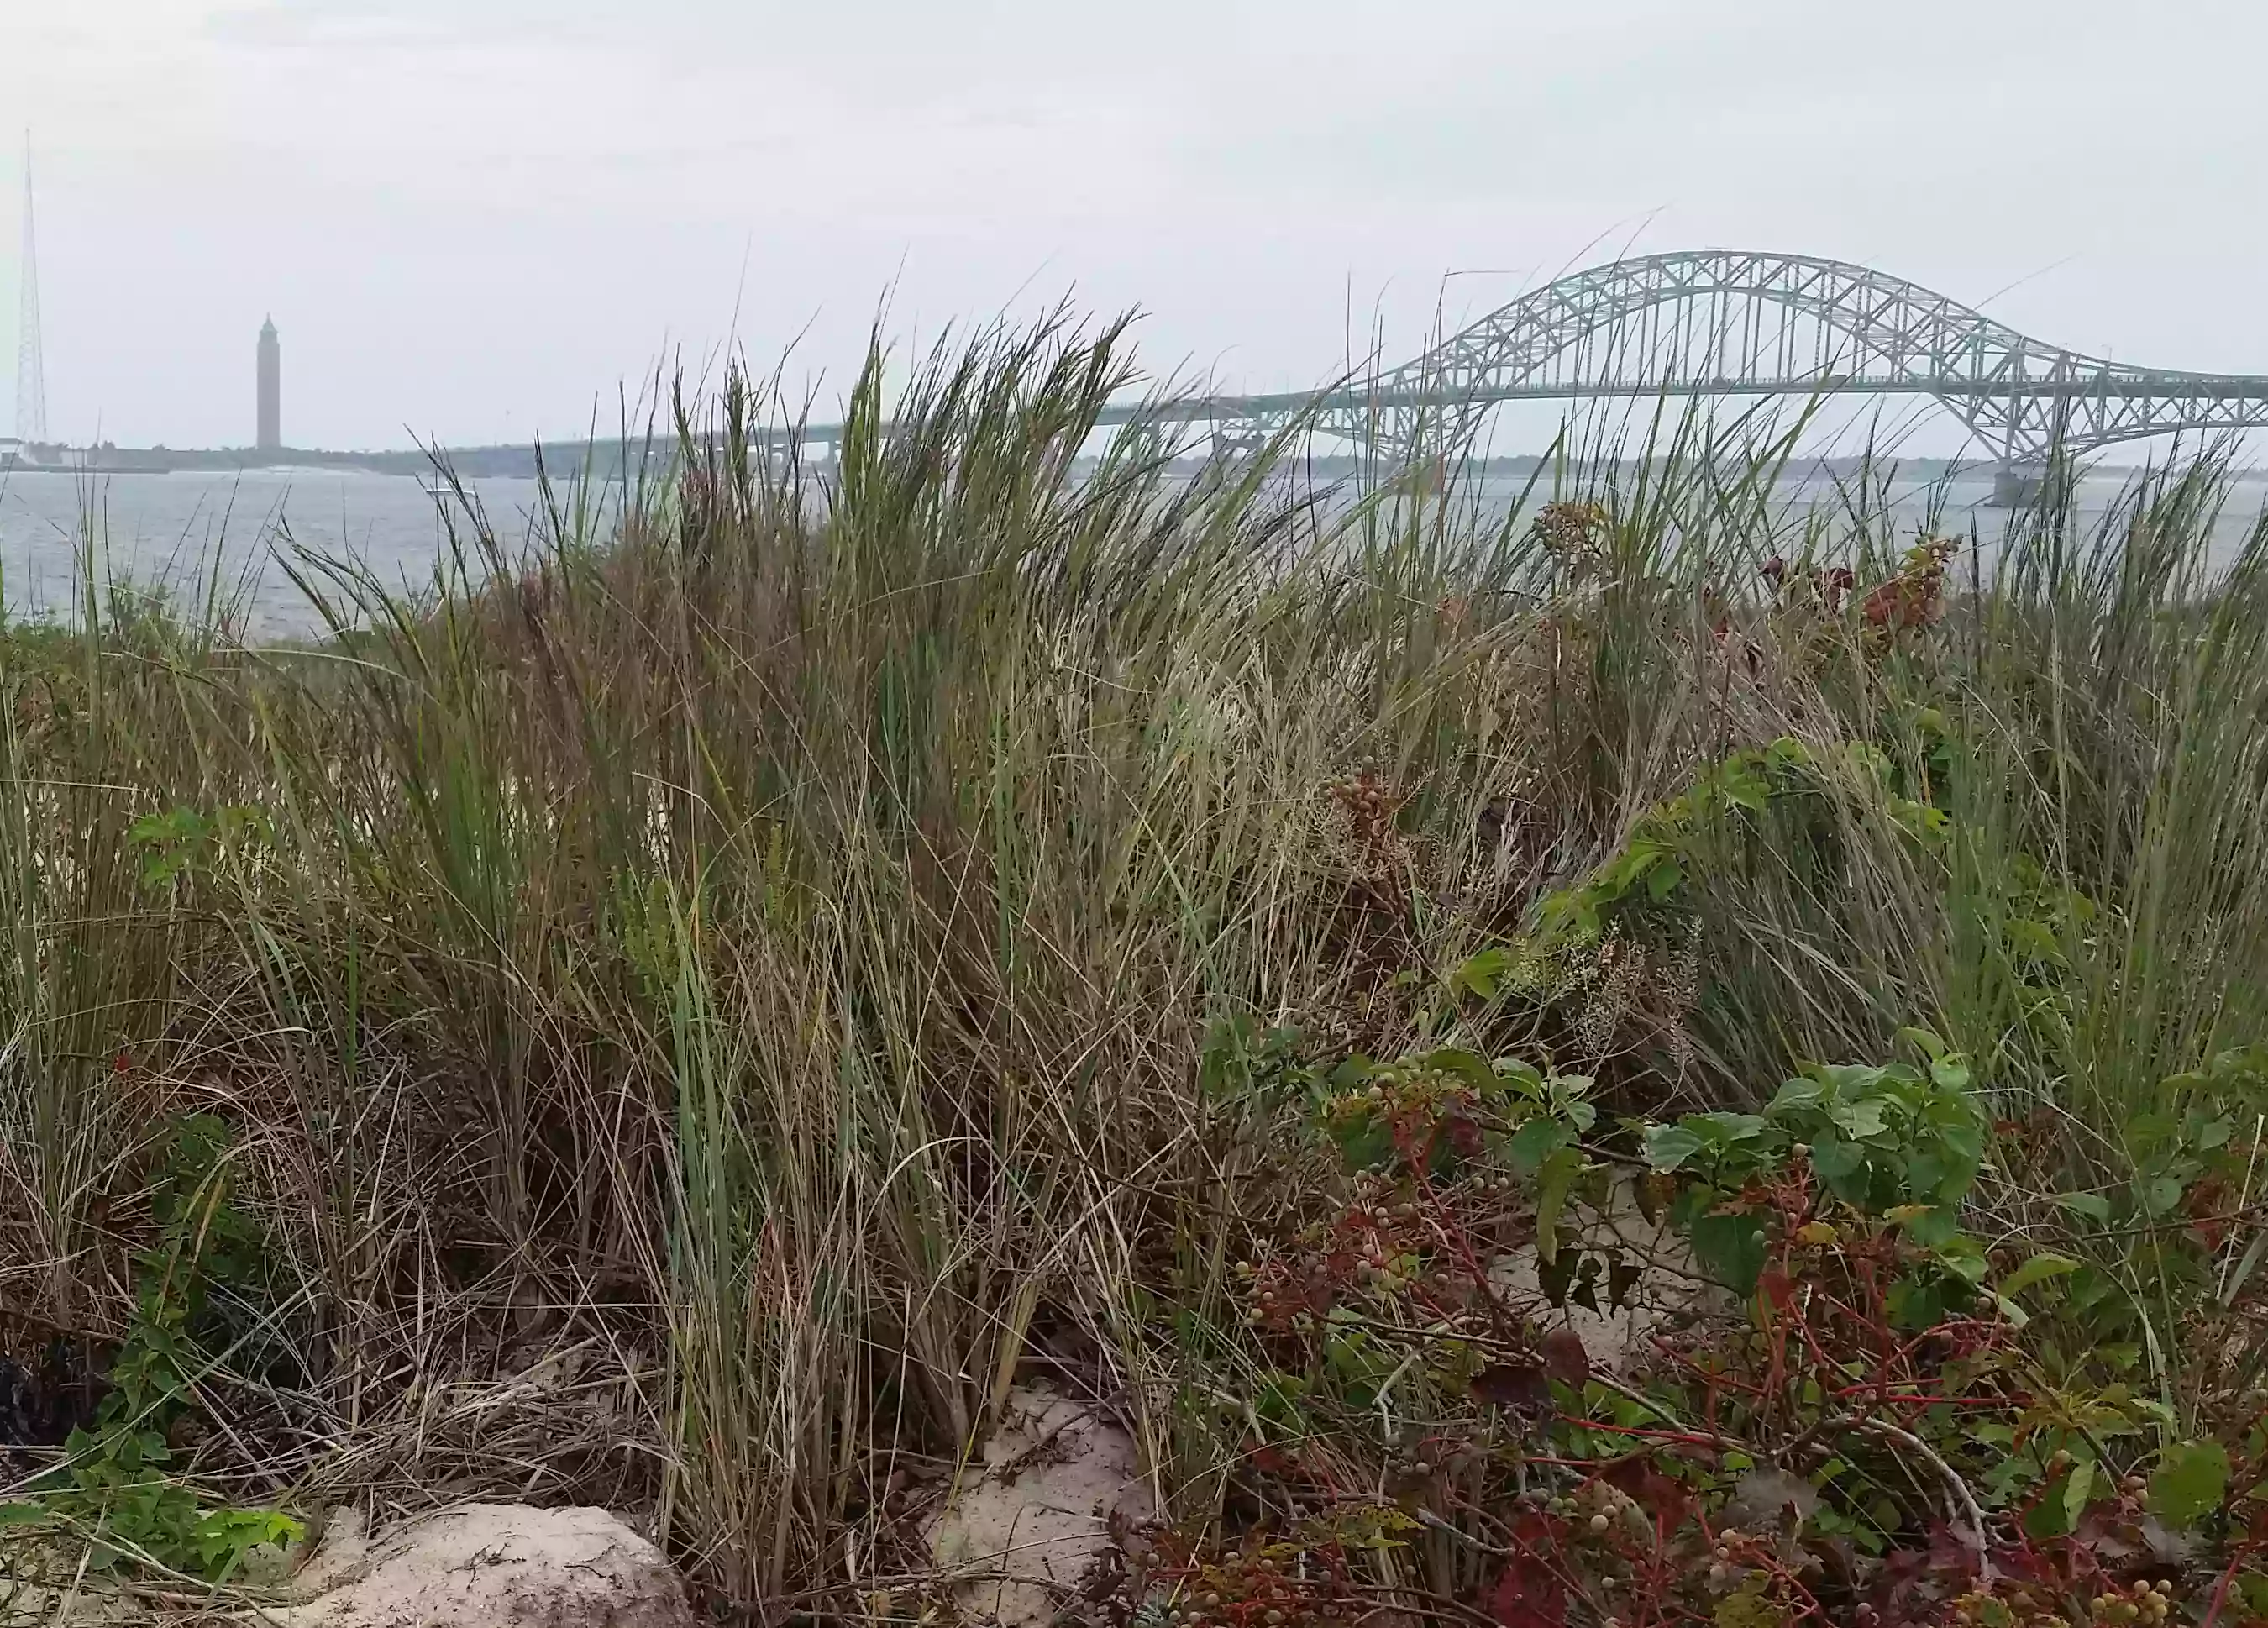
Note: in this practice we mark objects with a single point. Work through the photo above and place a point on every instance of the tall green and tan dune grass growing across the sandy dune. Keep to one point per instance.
(702, 1010)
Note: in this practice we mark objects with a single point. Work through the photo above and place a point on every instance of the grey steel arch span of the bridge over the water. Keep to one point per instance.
(1729, 323)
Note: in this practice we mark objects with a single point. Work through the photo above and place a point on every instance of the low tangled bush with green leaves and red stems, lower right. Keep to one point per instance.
(1863, 1300)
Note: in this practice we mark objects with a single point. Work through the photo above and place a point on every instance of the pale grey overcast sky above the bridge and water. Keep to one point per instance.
(477, 219)
